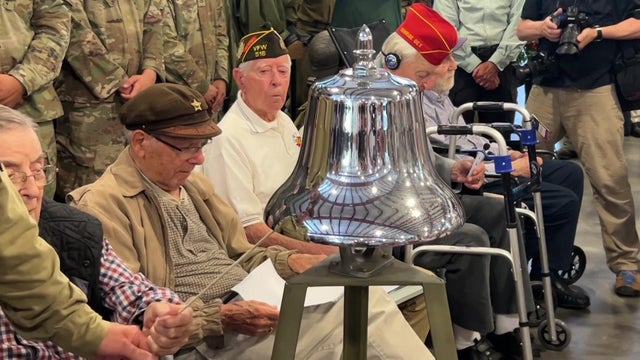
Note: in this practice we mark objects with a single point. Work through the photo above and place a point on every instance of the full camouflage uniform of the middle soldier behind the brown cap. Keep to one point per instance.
(110, 41)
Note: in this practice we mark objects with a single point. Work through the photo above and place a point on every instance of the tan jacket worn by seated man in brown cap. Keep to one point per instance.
(135, 227)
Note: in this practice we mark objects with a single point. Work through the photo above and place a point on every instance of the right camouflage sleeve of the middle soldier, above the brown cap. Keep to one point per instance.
(152, 41)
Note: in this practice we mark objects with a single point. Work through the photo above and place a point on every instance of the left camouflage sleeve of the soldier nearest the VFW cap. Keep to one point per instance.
(179, 64)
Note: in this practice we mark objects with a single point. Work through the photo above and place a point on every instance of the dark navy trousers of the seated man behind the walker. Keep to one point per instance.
(561, 192)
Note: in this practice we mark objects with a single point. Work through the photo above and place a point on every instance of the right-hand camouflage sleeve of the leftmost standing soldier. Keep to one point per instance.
(43, 58)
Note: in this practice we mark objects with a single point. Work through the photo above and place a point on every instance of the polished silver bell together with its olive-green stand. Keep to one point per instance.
(364, 182)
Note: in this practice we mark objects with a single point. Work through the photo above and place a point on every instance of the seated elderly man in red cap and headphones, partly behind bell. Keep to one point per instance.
(482, 303)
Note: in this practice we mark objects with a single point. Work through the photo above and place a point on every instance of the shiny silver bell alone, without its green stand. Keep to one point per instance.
(364, 177)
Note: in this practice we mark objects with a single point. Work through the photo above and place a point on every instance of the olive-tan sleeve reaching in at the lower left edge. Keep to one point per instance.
(37, 298)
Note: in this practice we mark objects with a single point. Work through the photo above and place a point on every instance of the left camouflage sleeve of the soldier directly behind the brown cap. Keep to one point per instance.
(88, 57)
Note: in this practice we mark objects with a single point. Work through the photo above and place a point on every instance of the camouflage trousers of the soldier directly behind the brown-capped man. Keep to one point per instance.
(89, 138)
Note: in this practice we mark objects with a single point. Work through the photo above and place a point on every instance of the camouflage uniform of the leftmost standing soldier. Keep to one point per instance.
(34, 35)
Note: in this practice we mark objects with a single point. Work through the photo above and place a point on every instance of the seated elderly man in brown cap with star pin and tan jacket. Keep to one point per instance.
(167, 222)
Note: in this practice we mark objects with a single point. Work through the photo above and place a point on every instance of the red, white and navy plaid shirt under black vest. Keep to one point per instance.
(124, 292)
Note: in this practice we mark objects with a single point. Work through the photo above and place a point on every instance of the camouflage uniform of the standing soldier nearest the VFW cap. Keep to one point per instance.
(196, 45)
